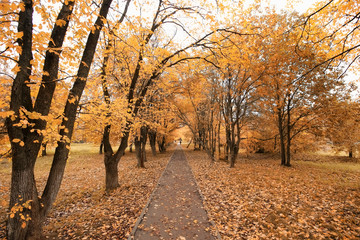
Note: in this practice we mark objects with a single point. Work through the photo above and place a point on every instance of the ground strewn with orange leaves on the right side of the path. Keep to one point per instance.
(259, 199)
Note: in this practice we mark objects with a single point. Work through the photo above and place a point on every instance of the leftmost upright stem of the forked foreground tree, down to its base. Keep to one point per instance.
(22, 177)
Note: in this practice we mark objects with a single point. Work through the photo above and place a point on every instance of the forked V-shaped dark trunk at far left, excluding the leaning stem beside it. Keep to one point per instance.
(25, 152)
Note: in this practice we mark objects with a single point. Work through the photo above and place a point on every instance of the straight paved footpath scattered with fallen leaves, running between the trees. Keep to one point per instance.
(175, 209)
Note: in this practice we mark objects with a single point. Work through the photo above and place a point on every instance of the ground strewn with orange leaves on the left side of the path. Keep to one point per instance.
(82, 209)
